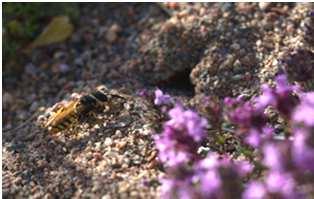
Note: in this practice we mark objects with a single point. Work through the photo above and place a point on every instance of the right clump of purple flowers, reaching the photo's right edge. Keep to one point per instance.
(284, 159)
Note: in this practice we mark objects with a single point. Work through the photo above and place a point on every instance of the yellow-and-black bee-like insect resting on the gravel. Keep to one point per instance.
(73, 112)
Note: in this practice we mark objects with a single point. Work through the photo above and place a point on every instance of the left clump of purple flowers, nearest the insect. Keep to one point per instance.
(189, 175)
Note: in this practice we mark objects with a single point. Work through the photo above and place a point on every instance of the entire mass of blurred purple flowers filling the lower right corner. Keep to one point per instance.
(285, 162)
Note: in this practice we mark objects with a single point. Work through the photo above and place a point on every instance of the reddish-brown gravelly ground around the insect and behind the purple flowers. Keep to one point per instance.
(188, 50)
